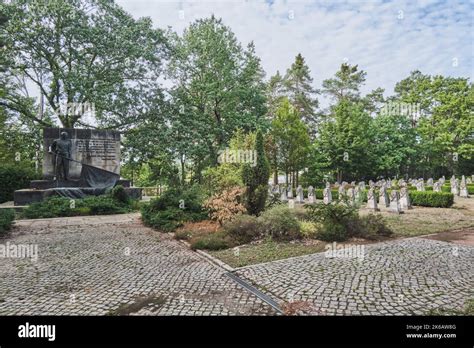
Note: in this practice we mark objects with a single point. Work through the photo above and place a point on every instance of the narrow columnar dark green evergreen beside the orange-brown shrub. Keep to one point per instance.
(256, 179)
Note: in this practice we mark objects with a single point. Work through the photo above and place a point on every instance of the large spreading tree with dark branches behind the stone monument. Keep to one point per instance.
(88, 51)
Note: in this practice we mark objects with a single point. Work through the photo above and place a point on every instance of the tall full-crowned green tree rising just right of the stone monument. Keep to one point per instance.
(218, 84)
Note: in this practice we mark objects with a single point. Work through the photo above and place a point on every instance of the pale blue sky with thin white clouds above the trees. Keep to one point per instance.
(387, 39)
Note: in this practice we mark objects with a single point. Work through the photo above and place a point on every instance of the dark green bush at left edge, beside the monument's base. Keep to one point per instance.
(14, 177)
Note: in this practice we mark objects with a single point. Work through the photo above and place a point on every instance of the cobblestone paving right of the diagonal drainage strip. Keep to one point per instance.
(402, 277)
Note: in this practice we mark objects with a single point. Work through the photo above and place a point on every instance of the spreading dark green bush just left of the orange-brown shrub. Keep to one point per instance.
(174, 207)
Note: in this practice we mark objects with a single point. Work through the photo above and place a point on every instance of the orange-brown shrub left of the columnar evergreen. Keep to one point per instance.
(226, 205)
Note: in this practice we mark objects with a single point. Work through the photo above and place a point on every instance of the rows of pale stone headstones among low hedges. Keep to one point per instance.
(398, 201)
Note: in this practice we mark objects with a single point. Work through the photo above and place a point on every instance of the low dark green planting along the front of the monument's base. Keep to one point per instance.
(62, 206)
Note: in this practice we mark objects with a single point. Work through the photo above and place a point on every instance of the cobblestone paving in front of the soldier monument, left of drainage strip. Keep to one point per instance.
(113, 265)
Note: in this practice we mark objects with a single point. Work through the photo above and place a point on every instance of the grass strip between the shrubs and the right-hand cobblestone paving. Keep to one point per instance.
(266, 251)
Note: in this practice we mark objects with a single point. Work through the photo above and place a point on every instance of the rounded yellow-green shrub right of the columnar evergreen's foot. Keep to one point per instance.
(280, 223)
